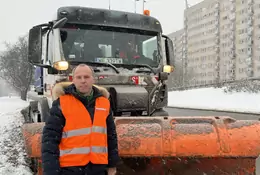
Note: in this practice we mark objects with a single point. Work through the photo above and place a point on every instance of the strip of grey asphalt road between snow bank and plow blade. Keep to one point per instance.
(189, 112)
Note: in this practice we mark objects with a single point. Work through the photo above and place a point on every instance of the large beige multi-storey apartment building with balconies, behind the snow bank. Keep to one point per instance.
(221, 41)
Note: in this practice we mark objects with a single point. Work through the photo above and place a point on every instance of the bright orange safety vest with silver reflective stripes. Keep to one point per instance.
(83, 142)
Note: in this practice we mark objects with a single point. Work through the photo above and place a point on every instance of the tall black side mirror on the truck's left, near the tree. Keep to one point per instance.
(35, 45)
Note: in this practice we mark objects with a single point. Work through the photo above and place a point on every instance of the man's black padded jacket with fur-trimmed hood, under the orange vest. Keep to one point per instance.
(52, 133)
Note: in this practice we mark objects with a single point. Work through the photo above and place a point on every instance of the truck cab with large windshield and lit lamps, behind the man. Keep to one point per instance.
(127, 52)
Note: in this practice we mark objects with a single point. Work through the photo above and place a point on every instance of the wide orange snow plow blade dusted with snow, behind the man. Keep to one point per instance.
(178, 145)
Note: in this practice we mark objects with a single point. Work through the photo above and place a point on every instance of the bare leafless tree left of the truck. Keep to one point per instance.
(15, 68)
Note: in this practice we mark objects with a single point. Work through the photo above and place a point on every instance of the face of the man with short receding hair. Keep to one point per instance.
(83, 79)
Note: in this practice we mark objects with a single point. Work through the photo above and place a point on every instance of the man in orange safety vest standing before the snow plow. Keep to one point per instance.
(79, 137)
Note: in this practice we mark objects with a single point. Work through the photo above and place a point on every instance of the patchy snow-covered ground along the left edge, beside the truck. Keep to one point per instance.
(12, 154)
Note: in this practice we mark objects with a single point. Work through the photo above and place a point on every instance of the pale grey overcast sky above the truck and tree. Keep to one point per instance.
(17, 16)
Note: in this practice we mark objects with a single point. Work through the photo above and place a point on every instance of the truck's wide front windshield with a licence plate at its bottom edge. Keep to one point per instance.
(99, 45)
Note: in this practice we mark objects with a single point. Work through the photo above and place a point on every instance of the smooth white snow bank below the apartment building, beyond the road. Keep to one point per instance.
(215, 99)
